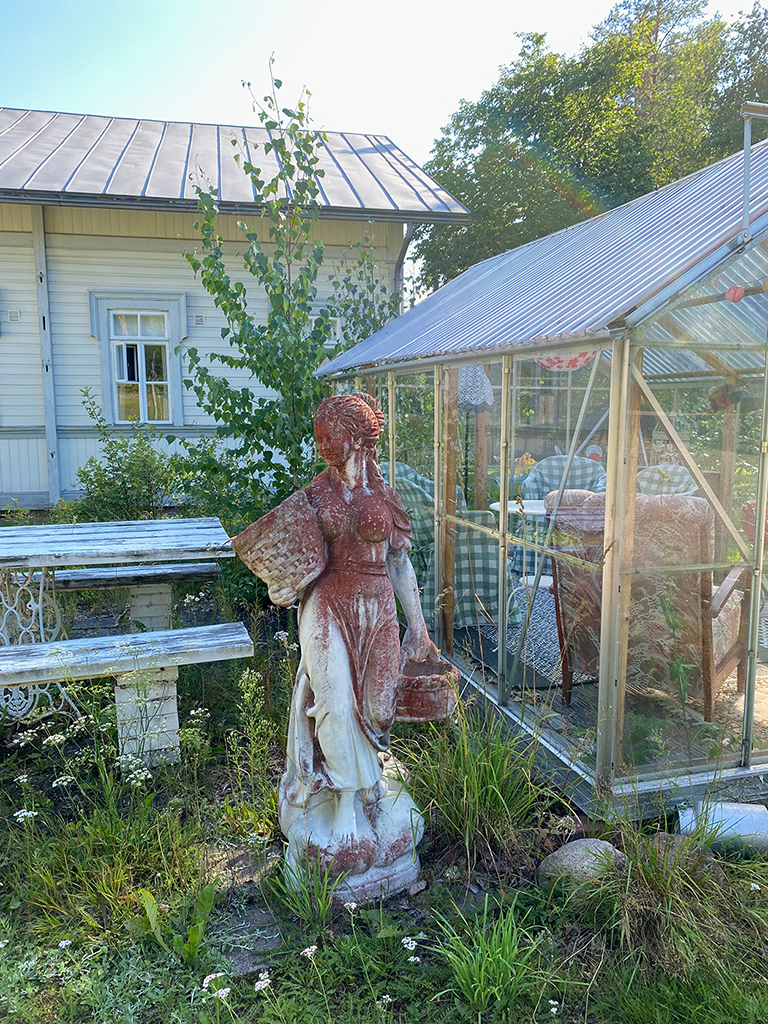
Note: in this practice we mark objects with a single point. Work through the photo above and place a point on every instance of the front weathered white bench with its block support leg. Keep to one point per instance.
(145, 667)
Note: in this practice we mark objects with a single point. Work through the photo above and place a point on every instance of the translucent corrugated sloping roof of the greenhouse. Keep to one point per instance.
(583, 281)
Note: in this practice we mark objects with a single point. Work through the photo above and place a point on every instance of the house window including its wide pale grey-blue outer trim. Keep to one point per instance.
(140, 334)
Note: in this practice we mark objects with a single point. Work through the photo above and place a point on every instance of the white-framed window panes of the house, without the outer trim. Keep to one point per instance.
(141, 347)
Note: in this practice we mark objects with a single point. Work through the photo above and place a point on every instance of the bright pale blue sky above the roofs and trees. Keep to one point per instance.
(398, 68)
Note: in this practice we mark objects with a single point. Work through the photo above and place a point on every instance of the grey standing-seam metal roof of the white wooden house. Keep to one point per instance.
(89, 160)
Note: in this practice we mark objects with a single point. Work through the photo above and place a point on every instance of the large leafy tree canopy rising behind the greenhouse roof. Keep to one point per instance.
(654, 97)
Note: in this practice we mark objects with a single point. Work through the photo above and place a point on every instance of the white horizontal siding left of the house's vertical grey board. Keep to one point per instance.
(21, 379)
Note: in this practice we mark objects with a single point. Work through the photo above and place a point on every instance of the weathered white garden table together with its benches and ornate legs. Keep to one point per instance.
(148, 717)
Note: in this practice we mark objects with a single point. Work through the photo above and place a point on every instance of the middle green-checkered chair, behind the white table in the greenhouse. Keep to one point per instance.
(586, 475)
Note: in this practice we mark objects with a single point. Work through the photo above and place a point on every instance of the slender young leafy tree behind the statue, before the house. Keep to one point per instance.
(270, 420)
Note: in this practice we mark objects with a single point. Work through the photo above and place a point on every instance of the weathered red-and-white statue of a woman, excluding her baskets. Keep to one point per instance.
(336, 805)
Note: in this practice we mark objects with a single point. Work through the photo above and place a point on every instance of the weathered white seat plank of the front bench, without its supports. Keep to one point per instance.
(98, 657)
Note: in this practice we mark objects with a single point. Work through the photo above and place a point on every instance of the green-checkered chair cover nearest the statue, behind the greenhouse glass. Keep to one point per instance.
(477, 566)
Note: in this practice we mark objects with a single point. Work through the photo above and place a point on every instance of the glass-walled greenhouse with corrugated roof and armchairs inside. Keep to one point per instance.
(578, 431)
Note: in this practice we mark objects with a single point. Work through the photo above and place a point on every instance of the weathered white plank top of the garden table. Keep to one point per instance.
(107, 543)
